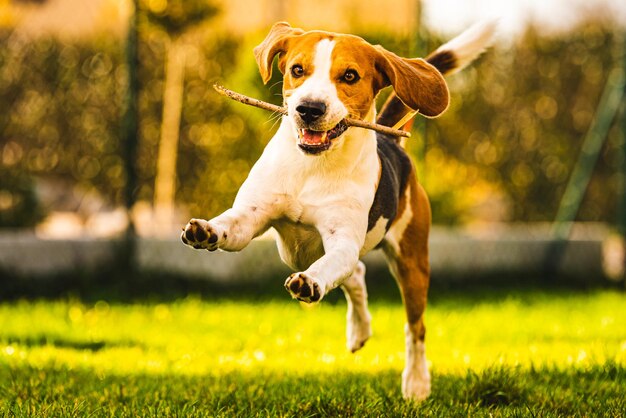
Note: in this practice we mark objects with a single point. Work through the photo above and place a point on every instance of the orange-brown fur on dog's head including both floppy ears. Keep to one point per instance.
(417, 83)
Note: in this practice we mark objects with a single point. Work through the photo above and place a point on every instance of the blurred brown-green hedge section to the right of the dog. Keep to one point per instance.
(518, 119)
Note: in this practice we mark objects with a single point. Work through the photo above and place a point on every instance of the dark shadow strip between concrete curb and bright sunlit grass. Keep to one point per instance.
(114, 285)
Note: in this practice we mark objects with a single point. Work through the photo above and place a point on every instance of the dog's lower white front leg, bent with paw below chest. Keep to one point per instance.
(341, 246)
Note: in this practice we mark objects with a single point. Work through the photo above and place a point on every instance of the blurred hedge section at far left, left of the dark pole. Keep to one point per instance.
(59, 114)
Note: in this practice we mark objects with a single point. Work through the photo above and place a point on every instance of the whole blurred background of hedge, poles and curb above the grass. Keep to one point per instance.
(111, 136)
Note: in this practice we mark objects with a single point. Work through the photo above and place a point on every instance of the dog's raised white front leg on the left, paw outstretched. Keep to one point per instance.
(230, 231)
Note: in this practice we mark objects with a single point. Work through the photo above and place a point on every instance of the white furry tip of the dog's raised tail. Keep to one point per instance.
(470, 44)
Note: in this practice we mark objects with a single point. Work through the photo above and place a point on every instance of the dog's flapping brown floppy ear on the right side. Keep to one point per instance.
(417, 83)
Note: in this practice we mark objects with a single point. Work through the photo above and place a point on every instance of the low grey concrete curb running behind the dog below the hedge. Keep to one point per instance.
(455, 253)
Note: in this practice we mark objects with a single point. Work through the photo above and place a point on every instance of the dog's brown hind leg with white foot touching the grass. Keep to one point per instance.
(406, 249)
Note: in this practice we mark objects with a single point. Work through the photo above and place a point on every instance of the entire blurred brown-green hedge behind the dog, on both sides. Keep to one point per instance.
(513, 131)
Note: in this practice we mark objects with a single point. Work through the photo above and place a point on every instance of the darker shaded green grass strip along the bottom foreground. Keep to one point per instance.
(594, 391)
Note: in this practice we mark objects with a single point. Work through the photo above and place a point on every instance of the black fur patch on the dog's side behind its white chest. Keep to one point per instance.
(395, 170)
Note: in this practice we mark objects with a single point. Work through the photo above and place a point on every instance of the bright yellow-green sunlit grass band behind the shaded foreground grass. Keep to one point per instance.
(194, 337)
